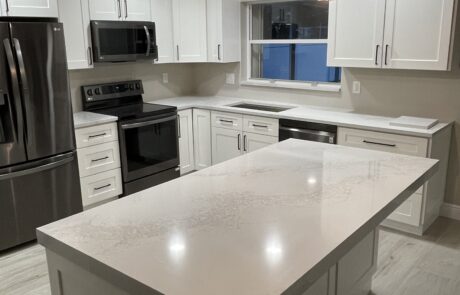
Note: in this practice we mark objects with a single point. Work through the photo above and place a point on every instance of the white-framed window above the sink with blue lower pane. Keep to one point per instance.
(288, 44)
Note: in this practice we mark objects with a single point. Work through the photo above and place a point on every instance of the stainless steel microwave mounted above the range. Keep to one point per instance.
(119, 41)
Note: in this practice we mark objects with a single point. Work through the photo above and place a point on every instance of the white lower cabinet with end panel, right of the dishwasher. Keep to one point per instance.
(420, 210)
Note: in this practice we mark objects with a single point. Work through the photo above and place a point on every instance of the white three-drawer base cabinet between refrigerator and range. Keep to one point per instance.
(99, 163)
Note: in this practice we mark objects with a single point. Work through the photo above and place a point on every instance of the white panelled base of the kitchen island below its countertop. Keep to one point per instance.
(350, 274)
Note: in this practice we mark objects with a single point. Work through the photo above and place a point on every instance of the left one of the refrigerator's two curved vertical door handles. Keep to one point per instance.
(16, 91)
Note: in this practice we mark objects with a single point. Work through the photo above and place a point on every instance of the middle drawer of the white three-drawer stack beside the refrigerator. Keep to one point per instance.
(98, 158)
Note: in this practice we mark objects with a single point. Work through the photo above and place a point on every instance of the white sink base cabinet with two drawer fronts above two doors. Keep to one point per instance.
(230, 138)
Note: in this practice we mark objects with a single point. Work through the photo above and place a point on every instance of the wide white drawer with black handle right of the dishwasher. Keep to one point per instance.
(394, 143)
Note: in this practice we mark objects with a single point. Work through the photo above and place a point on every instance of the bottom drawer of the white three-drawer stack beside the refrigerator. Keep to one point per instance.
(101, 186)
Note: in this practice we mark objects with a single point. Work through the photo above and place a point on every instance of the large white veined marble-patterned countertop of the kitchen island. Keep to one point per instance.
(251, 225)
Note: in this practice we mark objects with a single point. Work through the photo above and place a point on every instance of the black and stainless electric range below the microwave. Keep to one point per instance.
(148, 133)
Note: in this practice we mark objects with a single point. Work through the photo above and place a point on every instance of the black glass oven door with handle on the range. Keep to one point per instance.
(148, 146)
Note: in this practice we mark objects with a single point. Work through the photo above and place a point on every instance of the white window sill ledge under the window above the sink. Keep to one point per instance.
(328, 87)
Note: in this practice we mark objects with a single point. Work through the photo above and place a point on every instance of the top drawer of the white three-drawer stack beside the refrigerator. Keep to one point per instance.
(96, 134)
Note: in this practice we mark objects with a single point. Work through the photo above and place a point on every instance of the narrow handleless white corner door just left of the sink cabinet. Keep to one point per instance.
(202, 138)
